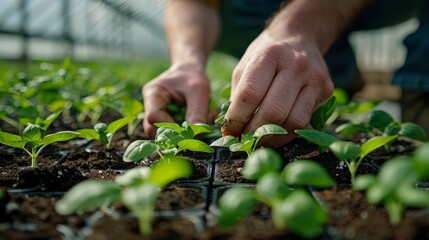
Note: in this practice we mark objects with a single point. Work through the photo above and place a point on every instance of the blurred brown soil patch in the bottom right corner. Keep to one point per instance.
(352, 217)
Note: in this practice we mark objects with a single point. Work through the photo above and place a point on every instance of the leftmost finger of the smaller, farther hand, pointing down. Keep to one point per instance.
(156, 100)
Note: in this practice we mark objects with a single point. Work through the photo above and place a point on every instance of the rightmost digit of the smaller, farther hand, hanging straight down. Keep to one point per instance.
(198, 104)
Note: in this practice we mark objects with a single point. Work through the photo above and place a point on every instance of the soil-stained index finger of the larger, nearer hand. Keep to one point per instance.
(250, 91)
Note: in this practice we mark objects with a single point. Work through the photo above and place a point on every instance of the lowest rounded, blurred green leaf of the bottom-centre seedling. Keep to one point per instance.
(301, 214)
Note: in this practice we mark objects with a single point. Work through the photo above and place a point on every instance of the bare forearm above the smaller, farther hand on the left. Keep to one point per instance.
(191, 29)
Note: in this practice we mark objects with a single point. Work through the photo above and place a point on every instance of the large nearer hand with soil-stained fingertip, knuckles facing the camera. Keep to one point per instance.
(280, 81)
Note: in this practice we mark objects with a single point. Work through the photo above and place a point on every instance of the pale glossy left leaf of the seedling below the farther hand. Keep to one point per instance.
(138, 150)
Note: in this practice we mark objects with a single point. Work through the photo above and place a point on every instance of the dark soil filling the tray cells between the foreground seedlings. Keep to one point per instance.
(183, 210)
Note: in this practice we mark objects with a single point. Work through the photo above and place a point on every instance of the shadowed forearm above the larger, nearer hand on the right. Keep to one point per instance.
(317, 21)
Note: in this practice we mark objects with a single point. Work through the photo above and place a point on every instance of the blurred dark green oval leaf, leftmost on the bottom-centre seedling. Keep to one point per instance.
(235, 204)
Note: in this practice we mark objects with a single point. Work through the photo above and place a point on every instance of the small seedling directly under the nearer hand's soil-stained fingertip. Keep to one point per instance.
(248, 141)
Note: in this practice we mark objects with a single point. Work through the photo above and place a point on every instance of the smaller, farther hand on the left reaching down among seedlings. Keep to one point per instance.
(180, 84)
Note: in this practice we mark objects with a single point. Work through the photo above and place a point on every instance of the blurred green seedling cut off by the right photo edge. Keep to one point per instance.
(395, 185)
